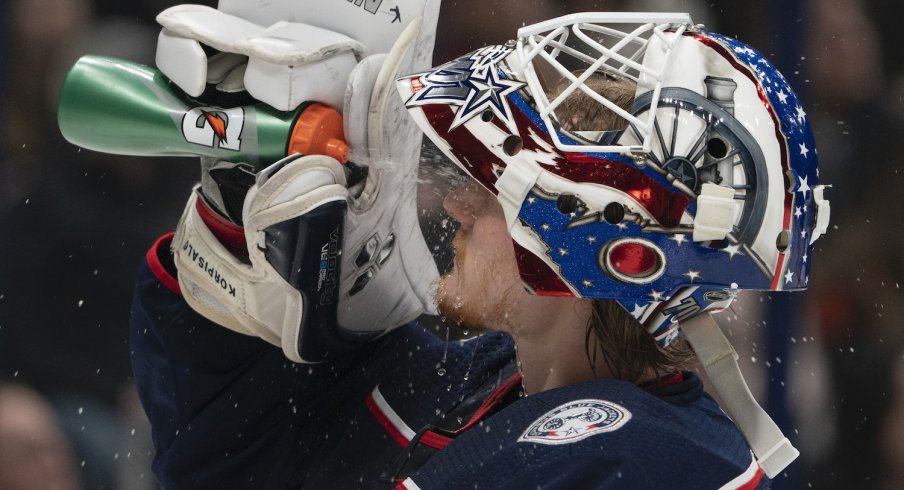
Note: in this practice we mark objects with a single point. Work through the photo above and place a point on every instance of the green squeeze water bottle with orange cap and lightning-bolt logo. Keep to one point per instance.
(121, 107)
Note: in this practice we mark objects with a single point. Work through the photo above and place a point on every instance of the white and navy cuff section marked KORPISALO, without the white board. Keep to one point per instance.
(294, 215)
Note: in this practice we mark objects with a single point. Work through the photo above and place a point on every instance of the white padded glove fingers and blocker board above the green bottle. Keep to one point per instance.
(273, 49)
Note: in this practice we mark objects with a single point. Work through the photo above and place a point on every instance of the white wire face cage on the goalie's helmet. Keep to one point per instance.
(574, 48)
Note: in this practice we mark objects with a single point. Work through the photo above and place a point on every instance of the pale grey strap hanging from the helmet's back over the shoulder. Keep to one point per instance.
(773, 450)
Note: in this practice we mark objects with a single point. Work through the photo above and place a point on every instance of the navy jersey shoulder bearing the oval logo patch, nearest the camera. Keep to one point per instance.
(601, 434)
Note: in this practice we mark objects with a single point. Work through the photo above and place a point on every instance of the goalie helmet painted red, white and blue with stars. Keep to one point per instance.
(711, 188)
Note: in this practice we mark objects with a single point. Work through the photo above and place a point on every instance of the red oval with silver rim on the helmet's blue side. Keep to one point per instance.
(633, 260)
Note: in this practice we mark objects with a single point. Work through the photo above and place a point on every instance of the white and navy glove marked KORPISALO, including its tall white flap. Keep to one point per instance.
(327, 265)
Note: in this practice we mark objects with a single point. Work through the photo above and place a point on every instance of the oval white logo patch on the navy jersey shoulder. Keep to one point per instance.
(576, 420)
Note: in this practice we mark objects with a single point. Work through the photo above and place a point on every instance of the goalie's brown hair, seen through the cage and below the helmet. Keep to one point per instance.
(628, 350)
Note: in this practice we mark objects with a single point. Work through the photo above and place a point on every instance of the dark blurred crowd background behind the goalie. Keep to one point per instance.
(828, 363)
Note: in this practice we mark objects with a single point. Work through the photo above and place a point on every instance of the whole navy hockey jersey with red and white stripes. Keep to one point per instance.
(407, 411)
